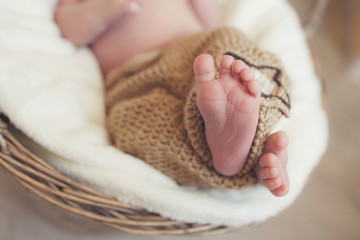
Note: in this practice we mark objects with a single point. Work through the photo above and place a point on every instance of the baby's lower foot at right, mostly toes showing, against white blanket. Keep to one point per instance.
(271, 168)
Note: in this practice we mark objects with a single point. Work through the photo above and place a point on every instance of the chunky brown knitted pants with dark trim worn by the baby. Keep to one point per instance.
(152, 112)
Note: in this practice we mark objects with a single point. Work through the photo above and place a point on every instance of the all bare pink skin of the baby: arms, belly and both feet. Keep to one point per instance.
(115, 30)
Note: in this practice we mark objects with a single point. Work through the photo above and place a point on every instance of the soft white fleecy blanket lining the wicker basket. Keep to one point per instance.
(52, 91)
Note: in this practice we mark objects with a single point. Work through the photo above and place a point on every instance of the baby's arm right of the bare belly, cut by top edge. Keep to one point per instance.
(208, 12)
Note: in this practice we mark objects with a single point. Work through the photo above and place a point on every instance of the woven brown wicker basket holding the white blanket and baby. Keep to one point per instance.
(43, 180)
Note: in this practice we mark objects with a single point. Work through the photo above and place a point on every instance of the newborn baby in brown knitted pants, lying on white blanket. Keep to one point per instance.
(165, 102)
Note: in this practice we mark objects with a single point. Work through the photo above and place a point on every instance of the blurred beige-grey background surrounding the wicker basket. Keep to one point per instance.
(328, 208)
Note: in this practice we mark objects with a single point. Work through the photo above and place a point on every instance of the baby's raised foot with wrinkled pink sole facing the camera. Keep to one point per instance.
(229, 106)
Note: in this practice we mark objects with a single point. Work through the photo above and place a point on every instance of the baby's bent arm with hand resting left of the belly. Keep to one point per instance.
(82, 21)
